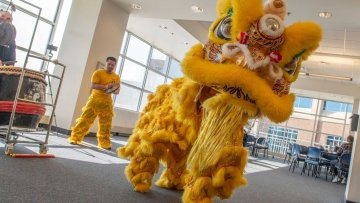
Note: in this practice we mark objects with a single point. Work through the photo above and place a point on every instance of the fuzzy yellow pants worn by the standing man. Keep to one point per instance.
(95, 107)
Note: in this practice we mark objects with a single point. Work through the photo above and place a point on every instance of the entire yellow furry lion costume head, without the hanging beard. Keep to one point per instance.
(269, 60)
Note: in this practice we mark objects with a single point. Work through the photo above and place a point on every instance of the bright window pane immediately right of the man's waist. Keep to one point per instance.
(128, 98)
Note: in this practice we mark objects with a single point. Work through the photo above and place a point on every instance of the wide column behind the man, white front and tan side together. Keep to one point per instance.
(95, 30)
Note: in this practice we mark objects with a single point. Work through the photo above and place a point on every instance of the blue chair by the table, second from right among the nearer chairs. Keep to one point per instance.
(312, 161)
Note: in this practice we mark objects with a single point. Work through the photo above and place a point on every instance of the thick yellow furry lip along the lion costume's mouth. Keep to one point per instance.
(223, 76)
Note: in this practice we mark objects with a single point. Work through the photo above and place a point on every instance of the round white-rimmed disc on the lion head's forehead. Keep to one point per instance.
(271, 26)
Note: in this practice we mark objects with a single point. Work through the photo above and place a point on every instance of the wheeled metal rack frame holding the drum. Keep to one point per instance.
(11, 134)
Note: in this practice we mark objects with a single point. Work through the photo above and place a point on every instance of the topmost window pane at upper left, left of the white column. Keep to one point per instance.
(48, 7)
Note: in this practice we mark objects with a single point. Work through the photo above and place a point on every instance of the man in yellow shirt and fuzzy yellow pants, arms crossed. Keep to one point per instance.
(104, 83)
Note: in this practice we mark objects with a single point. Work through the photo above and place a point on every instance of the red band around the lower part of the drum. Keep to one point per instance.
(23, 108)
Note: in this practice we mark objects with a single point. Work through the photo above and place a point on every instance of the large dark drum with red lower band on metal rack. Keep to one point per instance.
(28, 111)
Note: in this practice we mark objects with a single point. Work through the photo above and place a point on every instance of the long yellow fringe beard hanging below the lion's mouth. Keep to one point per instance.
(220, 127)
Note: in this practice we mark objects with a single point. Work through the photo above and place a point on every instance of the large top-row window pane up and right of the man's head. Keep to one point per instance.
(138, 50)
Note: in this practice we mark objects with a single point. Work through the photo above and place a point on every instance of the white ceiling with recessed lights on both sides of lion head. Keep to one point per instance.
(338, 54)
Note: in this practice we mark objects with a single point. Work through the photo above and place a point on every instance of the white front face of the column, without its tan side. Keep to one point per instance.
(74, 52)
